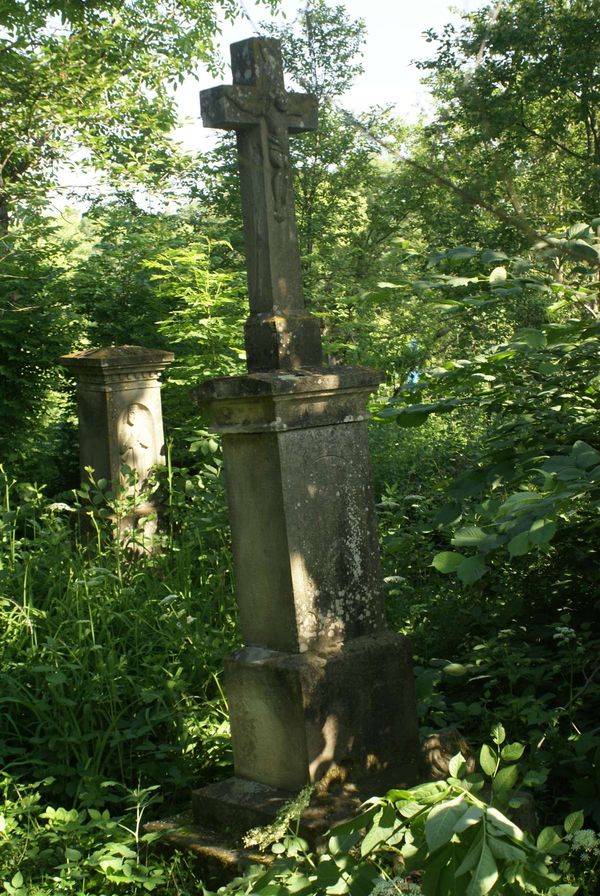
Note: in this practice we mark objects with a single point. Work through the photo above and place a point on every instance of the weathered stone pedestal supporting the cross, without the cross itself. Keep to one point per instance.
(320, 685)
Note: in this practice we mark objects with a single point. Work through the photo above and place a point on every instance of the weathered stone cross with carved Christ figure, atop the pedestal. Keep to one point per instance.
(279, 332)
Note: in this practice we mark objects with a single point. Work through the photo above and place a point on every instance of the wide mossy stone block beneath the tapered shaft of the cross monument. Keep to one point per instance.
(347, 711)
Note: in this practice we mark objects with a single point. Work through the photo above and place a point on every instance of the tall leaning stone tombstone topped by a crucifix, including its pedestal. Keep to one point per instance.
(320, 688)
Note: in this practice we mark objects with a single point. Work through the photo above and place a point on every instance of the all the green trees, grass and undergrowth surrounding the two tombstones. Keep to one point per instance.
(462, 256)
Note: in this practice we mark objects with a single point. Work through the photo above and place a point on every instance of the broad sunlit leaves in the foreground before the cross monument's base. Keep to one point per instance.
(452, 836)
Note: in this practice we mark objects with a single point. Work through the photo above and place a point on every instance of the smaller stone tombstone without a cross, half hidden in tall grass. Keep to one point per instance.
(120, 423)
